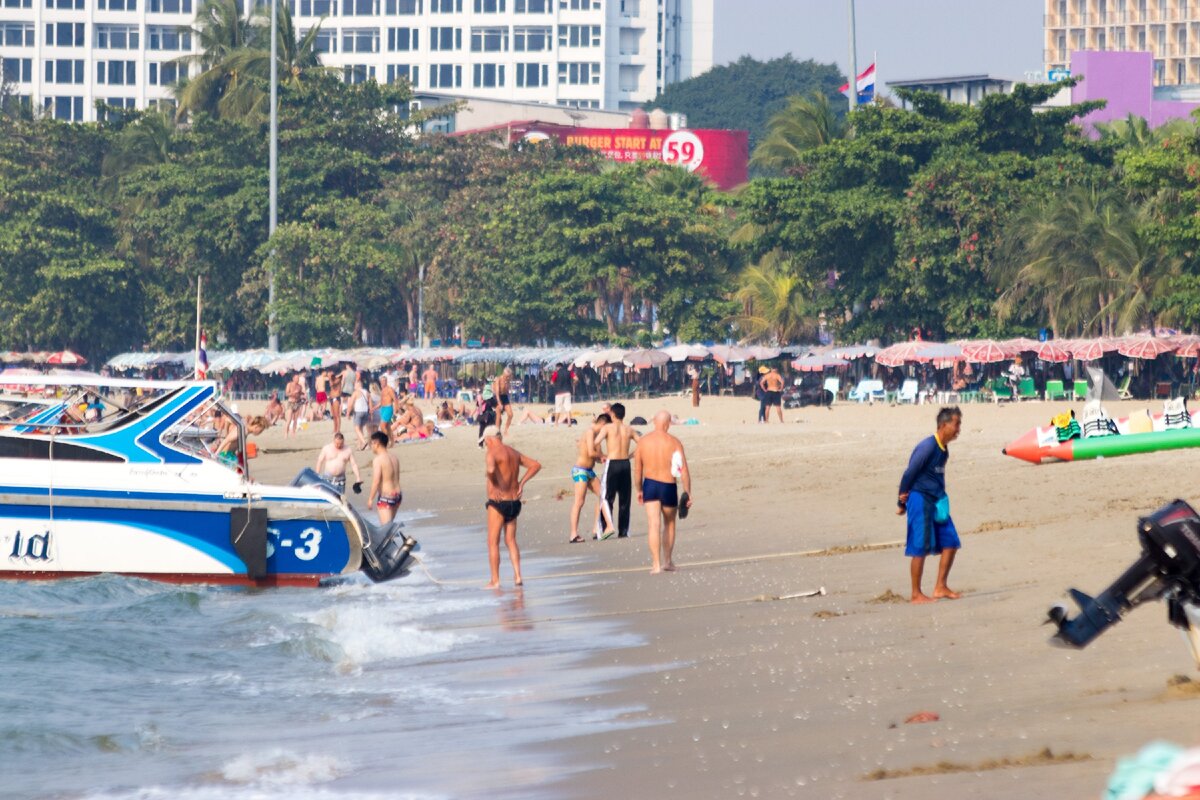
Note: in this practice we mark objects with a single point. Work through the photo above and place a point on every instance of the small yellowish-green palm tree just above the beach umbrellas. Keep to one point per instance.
(776, 304)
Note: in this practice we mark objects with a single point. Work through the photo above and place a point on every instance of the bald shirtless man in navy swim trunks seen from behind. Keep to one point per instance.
(658, 462)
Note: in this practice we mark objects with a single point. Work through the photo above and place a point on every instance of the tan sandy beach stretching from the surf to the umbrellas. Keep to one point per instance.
(746, 696)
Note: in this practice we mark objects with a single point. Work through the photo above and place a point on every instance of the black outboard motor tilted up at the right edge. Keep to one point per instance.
(1168, 569)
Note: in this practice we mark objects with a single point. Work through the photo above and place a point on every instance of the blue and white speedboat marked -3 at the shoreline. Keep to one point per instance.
(152, 479)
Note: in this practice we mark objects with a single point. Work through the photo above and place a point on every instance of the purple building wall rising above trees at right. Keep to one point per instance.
(1127, 82)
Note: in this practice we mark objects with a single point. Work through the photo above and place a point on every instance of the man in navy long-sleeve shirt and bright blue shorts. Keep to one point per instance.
(923, 498)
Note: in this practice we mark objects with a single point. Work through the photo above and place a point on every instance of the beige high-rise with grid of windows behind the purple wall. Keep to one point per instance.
(1168, 29)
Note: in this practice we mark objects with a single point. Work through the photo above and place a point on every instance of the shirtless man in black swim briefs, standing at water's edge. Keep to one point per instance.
(505, 492)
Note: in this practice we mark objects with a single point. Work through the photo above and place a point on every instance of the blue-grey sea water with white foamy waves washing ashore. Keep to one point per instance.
(118, 689)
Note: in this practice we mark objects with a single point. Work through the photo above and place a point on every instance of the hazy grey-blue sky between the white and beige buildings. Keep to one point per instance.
(915, 39)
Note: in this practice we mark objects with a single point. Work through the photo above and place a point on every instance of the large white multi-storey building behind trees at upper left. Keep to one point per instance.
(63, 56)
